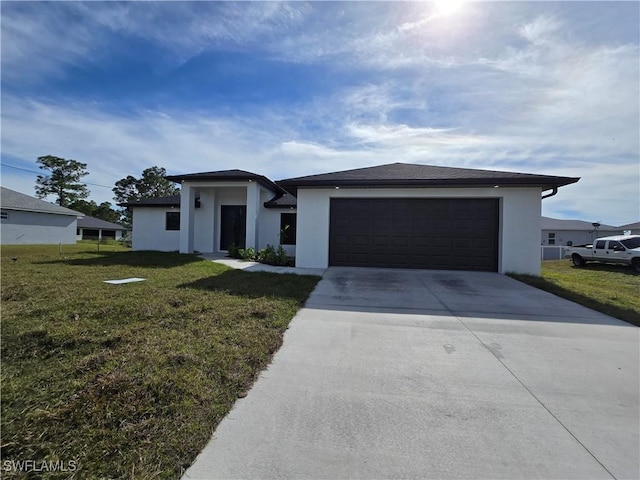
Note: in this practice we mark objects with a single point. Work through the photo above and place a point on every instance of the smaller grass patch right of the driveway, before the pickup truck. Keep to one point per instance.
(610, 289)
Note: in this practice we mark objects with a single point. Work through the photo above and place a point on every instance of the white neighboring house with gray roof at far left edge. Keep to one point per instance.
(28, 220)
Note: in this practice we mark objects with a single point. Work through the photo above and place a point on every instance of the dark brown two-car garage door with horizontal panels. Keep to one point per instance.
(456, 234)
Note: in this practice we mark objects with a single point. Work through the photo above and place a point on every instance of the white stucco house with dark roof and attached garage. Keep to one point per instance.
(397, 215)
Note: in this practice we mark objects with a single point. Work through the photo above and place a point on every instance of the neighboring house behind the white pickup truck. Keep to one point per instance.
(573, 232)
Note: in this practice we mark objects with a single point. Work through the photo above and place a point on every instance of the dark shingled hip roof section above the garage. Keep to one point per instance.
(408, 174)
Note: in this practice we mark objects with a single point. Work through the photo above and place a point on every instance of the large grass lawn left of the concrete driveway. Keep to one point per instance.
(129, 381)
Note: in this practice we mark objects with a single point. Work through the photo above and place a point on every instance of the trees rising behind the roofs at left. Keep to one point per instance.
(64, 180)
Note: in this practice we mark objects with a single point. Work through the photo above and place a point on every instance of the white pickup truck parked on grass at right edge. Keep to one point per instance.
(621, 249)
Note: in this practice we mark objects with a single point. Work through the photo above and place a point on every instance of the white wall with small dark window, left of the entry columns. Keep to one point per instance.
(149, 230)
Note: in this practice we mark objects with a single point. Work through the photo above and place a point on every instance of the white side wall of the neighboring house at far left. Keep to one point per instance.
(34, 228)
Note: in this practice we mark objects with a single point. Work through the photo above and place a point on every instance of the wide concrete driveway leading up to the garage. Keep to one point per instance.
(437, 374)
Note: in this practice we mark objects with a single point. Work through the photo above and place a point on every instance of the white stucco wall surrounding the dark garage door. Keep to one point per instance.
(519, 217)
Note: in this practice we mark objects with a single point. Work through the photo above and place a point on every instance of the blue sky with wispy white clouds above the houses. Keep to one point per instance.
(290, 89)
